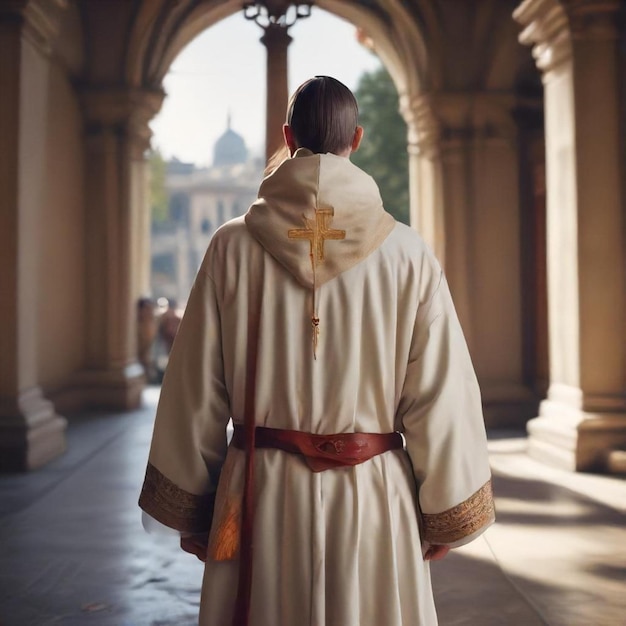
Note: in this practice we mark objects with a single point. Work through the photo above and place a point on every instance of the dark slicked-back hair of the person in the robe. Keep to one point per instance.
(323, 115)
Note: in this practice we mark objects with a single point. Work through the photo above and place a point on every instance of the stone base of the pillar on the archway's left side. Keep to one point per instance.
(112, 389)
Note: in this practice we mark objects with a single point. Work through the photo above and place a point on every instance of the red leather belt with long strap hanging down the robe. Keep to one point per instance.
(320, 452)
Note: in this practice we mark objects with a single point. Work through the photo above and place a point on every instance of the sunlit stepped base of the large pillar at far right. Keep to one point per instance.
(576, 440)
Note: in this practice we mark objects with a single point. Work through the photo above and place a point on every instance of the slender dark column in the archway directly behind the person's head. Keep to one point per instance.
(276, 39)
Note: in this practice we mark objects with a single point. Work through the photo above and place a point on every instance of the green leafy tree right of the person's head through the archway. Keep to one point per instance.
(383, 151)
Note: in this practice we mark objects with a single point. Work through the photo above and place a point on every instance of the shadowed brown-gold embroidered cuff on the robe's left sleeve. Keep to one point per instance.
(173, 506)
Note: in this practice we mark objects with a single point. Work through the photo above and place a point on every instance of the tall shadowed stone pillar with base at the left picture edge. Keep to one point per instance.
(30, 431)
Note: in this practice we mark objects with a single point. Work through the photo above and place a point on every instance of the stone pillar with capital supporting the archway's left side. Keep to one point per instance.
(117, 136)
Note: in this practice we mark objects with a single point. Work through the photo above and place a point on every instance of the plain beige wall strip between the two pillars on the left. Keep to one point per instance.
(61, 292)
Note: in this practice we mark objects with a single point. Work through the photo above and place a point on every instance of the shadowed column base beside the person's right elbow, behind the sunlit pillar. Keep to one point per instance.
(508, 406)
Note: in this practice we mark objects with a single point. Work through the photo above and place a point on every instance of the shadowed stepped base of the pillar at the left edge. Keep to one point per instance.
(31, 433)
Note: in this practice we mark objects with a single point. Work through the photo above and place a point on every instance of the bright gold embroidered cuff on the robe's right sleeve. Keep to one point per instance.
(461, 520)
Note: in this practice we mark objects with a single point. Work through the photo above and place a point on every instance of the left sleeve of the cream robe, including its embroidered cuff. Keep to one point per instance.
(189, 439)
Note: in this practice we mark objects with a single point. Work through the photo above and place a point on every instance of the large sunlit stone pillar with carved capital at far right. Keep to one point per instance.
(583, 420)
